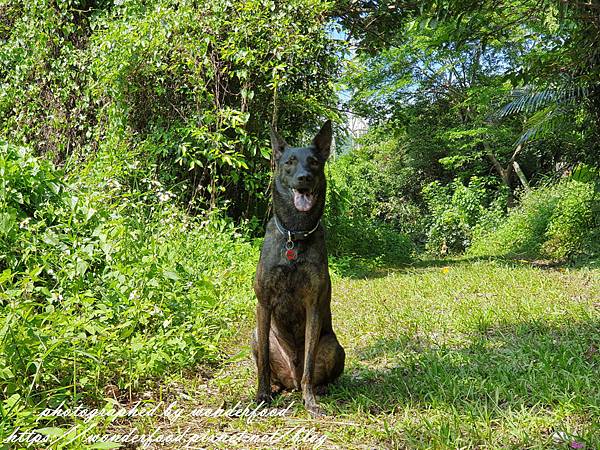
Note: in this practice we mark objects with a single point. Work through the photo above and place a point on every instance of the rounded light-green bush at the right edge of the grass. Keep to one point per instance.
(557, 221)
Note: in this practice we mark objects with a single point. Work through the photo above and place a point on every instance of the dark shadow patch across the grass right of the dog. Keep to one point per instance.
(517, 365)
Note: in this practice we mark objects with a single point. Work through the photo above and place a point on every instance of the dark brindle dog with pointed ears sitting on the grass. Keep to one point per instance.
(294, 344)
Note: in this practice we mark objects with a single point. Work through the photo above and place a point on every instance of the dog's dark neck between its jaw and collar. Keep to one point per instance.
(292, 219)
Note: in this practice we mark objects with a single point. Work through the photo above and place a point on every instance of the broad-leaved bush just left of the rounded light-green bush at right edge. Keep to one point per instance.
(455, 210)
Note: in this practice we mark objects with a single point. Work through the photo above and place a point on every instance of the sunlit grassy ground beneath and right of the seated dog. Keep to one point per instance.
(442, 354)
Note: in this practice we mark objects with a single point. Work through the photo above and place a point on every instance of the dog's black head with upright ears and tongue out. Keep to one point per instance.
(300, 171)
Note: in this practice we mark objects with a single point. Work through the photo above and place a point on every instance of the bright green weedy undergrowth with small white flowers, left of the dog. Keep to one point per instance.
(106, 287)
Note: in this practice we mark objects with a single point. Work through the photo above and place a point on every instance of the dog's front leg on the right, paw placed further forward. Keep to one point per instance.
(311, 340)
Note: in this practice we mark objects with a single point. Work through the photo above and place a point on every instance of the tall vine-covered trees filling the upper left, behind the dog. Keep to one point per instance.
(187, 89)
